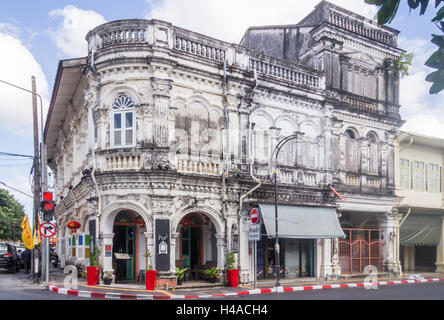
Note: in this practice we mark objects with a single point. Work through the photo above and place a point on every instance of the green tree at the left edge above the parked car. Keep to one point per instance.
(11, 216)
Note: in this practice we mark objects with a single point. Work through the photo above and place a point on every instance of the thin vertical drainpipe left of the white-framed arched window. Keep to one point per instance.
(99, 201)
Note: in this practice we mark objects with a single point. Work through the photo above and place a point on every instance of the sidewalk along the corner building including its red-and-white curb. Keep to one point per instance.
(204, 290)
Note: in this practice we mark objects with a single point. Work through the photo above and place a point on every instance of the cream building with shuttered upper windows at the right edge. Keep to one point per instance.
(419, 162)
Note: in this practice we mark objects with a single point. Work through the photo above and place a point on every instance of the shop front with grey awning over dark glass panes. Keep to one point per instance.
(299, 229)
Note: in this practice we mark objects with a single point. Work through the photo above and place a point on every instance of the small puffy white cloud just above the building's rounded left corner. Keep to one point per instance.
(70, 34)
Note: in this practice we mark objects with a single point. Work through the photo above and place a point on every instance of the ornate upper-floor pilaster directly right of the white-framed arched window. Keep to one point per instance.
(161, 97)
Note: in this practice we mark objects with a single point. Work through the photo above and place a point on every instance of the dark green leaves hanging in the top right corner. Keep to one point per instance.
(387, 12)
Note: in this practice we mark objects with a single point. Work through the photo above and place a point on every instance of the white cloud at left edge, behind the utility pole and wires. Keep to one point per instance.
(17, 65)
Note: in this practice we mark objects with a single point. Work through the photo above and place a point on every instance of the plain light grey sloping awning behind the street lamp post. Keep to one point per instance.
(299, 222)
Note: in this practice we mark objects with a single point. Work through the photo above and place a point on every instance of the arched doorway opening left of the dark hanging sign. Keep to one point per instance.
(126, 244)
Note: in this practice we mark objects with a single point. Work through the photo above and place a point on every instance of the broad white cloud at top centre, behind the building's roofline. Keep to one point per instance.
(228, 20)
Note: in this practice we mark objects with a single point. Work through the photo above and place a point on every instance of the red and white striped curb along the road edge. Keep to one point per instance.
(125, 296)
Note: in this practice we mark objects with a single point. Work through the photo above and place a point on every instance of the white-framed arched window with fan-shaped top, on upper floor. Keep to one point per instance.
(123, 122)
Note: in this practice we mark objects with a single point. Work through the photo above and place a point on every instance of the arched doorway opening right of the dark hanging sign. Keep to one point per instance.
(197, 245)
